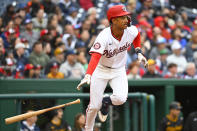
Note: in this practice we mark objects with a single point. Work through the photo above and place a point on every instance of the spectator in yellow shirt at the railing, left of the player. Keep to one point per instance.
(54, 73)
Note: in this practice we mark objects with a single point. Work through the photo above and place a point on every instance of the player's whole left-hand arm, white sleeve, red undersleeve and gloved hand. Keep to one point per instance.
(96, 52)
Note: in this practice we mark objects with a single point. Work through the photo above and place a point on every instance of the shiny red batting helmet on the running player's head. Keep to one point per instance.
(115, 11)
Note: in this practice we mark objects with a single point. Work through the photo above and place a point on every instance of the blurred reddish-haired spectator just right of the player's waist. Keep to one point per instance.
(134, 71)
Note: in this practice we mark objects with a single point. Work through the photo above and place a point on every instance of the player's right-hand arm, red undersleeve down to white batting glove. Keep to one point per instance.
(137, 46)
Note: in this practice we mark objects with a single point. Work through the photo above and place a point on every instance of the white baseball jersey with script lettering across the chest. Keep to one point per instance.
(112, 50)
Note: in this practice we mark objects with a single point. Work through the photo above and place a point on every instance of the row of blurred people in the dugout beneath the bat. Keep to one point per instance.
(56, 123)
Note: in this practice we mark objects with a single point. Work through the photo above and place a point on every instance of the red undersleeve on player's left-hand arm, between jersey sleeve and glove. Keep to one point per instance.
(95, 57)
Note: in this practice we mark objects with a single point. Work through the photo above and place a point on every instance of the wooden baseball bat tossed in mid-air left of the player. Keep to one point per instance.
(17, 118)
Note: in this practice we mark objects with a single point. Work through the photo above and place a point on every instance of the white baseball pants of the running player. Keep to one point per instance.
(117, 79)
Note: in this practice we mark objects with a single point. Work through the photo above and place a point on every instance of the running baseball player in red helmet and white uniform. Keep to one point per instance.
(107, 64)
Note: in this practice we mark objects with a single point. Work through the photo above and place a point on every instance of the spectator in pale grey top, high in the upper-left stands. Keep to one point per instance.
(39, 22)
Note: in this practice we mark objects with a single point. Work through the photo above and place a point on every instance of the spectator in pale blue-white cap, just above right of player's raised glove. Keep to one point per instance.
(160, 45)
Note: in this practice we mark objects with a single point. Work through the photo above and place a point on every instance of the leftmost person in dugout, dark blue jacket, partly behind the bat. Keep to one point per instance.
(30, 124)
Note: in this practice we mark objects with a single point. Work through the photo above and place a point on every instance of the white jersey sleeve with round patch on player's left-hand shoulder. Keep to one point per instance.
(99, 44)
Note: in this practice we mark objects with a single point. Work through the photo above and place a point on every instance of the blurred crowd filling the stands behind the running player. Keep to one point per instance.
(51, 38)
